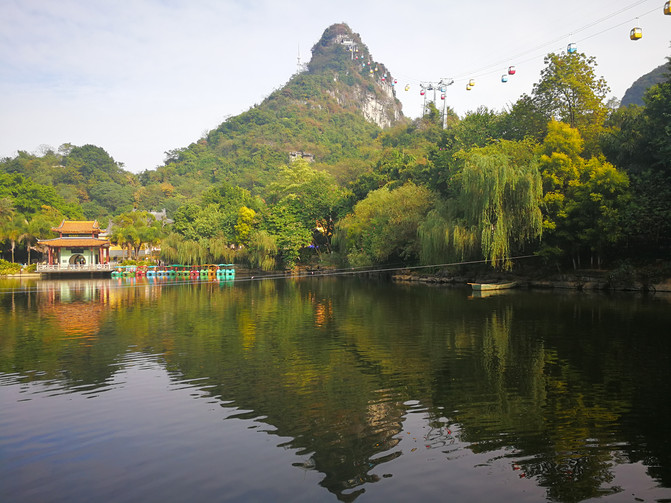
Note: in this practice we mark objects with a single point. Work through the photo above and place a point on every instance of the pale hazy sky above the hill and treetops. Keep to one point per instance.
(140, 78)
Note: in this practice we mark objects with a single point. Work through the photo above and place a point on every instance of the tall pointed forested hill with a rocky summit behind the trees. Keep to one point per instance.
(329, 113)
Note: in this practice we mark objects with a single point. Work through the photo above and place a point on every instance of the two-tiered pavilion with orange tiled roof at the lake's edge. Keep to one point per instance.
(77, 246)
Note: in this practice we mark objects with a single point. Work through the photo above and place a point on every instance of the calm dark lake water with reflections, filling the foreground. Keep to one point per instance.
(329, 389)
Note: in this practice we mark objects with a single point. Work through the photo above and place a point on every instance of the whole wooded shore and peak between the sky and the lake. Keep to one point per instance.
(559, 173)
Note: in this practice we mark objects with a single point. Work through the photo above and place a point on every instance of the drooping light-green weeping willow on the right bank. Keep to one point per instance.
(496, 209)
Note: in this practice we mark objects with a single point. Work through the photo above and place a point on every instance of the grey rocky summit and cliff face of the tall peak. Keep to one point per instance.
(359, 82)
